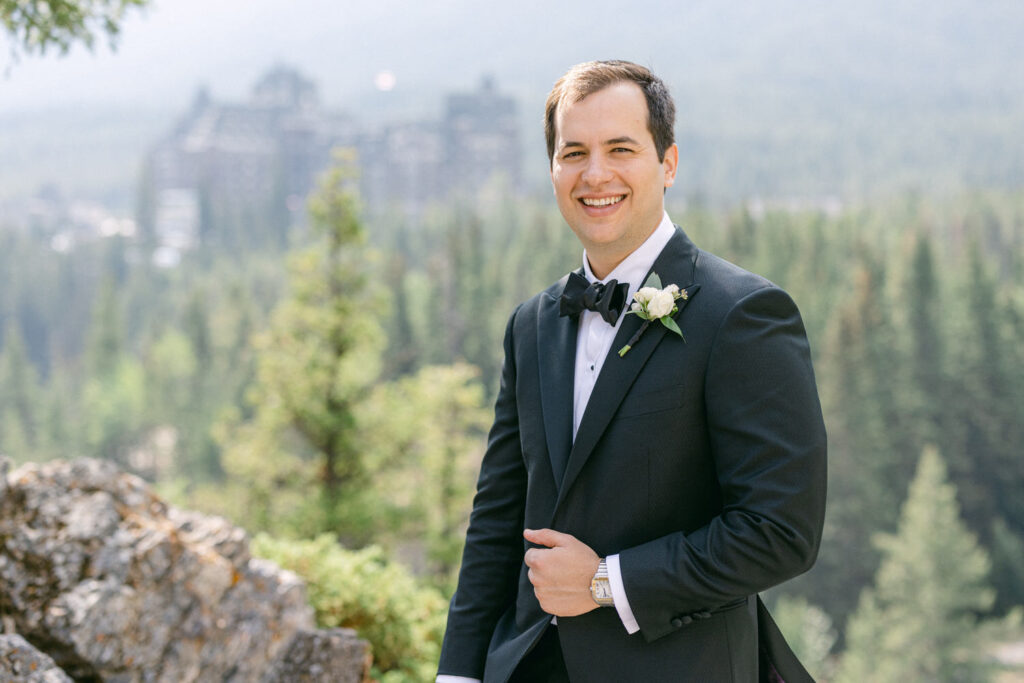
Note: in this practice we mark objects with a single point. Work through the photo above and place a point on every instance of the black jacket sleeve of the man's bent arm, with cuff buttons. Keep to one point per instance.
(767, 440)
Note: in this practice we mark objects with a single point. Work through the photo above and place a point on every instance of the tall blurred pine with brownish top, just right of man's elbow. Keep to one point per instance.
(865, 480)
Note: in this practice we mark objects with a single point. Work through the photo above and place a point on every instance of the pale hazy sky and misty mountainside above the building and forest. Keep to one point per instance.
(805, 76)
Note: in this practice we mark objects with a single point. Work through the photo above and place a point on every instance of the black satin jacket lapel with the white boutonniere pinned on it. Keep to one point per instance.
(674, 266)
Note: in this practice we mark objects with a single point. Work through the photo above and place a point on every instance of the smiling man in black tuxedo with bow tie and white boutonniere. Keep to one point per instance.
(644, 496)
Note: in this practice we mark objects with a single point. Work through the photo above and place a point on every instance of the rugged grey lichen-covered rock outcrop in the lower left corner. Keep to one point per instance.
(116, 585)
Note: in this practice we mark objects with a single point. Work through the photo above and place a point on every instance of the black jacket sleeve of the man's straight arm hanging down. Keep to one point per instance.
(493, 554)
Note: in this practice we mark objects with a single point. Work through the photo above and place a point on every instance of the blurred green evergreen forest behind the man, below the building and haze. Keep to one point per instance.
(329, 389)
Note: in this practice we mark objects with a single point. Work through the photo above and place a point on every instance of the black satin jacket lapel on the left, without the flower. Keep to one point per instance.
(557, 361)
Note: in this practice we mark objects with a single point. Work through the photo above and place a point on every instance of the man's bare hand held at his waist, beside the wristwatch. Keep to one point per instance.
(562, 572)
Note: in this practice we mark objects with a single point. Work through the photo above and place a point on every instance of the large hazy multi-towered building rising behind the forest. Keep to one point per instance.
(254, 163)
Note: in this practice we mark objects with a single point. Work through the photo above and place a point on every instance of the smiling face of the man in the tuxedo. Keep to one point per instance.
(608, 180)
